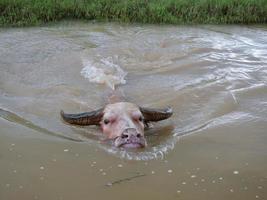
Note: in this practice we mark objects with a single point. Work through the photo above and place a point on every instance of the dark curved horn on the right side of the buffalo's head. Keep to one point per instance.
(154, 115)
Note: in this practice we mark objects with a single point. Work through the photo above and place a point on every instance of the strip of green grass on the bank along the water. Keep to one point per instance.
(35, 12)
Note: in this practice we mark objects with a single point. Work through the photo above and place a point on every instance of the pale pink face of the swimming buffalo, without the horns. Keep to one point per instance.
(120, 117)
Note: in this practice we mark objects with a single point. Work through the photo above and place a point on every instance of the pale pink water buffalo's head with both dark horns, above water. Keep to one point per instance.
(122, 122)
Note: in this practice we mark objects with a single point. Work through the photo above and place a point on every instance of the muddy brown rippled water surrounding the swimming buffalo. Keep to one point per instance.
(214, 77)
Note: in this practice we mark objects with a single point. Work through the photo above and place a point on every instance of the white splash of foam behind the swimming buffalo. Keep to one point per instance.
(103, 71)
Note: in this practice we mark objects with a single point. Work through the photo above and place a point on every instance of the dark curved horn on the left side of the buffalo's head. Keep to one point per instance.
(83, 119)
